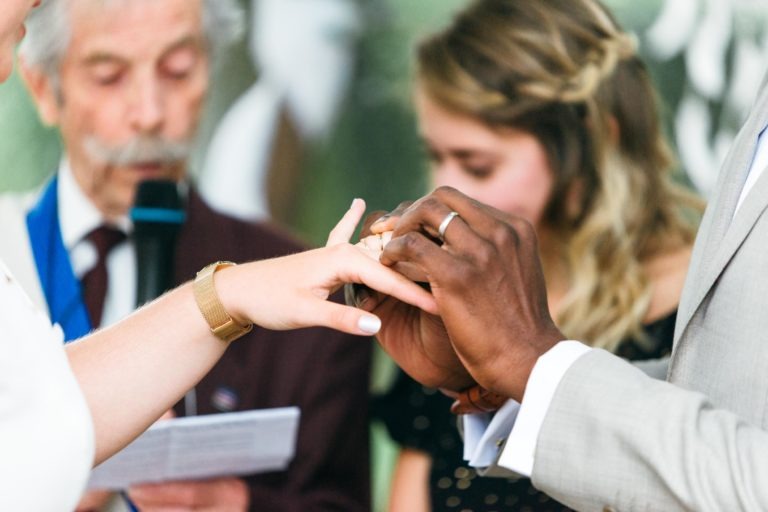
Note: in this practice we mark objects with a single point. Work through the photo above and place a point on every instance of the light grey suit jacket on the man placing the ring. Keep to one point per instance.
(614, 439)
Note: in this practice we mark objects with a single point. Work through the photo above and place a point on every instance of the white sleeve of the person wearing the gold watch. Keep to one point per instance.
(46, 433)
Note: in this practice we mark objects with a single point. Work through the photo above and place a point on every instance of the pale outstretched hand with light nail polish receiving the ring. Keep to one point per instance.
(299, 285)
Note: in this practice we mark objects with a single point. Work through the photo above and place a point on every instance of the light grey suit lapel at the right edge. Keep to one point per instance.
(721, 233)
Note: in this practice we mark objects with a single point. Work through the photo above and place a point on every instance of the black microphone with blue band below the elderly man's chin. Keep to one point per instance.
(157, 216)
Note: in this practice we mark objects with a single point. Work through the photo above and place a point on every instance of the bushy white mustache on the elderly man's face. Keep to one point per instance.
(140, 150)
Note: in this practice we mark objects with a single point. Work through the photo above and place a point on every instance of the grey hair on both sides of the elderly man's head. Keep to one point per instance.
(49, 31)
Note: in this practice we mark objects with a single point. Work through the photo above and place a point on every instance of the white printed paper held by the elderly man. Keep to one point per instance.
(199, 447)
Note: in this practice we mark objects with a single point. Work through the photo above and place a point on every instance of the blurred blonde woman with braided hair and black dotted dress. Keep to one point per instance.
(543, 109)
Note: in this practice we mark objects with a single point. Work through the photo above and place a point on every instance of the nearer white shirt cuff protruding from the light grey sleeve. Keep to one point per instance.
(518, 453)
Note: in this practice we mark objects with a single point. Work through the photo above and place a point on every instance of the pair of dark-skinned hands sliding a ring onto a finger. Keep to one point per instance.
(486, 278)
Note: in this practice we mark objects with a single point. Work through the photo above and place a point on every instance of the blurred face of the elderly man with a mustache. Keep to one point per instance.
(132, 85)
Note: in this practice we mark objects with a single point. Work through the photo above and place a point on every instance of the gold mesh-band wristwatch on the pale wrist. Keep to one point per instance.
(222, 325)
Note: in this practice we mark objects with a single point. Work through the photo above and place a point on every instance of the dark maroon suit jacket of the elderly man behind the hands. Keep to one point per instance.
(324, 372)
